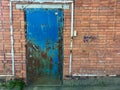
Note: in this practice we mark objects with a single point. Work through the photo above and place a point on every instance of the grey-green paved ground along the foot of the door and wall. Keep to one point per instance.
(99, 83)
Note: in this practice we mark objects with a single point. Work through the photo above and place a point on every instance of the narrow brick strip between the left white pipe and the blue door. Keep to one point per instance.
(19, 44)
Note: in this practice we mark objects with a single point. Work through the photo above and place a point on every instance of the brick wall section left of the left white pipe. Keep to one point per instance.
(5, 48)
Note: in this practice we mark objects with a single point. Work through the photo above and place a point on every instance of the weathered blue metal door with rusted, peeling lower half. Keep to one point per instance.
(44, 45)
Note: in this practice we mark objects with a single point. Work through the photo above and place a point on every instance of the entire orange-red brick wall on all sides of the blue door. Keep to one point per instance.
(95, 49)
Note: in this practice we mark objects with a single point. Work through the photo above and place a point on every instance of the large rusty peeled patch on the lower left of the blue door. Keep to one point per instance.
(37, 62)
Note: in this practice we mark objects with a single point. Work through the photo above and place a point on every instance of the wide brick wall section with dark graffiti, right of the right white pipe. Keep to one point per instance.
(96, 48)
